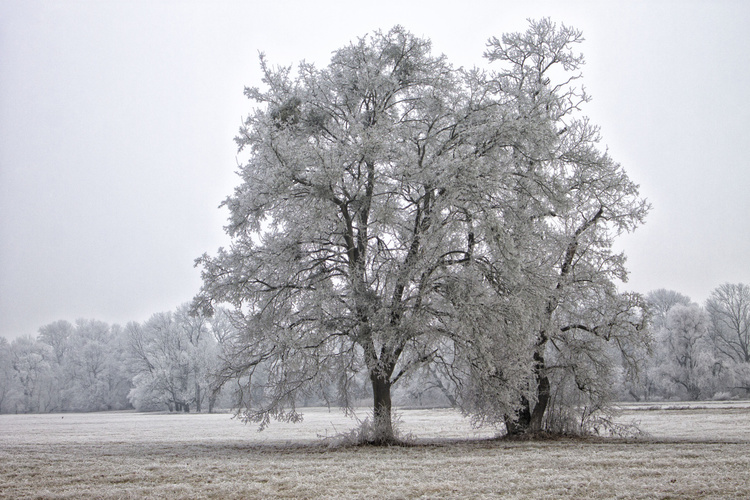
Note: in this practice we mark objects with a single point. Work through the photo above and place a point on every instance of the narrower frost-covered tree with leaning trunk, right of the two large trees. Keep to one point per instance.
(563, 202)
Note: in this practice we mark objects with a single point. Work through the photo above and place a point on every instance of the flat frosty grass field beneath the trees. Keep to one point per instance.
(699, 451)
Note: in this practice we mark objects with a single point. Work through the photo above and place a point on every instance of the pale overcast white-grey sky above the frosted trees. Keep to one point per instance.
(117, 121)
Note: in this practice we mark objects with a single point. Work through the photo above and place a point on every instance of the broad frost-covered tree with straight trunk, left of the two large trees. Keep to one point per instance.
(354, 204)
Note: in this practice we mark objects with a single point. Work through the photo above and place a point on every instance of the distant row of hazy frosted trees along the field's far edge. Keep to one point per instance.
(174, 361)
